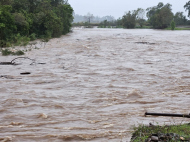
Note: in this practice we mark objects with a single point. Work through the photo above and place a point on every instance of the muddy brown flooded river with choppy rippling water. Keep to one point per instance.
(95, 85)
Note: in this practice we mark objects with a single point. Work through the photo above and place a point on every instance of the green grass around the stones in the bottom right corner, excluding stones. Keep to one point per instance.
(142, 133)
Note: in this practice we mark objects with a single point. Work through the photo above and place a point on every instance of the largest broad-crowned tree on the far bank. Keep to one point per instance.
(160, 16)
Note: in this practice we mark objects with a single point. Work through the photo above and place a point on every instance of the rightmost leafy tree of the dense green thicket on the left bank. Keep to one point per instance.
(52, 21)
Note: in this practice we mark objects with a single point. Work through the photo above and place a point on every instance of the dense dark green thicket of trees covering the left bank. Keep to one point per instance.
(25, 20)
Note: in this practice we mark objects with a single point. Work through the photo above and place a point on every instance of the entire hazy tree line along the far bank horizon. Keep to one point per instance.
(158, 17)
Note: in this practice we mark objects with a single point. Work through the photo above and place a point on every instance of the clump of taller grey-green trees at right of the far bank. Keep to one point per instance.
(158, 17)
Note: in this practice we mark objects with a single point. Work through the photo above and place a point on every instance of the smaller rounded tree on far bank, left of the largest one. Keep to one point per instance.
(129, 20)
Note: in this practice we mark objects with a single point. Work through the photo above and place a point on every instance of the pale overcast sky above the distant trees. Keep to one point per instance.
(117, 8)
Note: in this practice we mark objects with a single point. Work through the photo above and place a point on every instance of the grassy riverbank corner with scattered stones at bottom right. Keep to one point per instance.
(173, 133)
